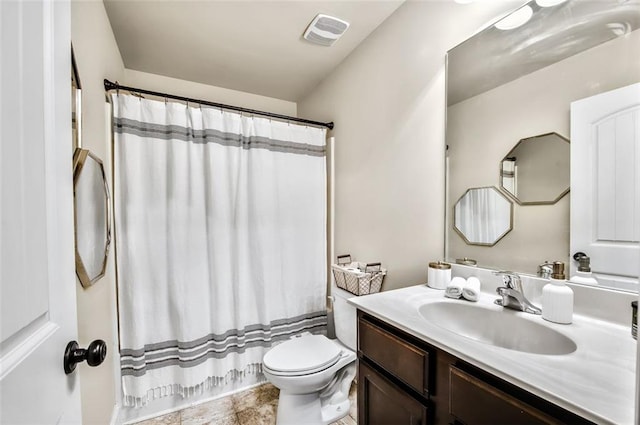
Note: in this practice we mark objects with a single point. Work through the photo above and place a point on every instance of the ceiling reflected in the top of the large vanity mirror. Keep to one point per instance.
(494, 57)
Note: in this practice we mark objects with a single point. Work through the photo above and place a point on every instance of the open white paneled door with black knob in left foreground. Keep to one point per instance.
(37, 278)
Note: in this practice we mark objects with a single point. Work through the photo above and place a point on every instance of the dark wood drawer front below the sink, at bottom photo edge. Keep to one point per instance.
(474, 402)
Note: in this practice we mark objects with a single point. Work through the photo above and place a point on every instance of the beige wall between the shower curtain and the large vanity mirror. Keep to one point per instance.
(387, 100)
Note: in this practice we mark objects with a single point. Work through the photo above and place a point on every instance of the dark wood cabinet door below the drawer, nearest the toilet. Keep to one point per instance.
(380, 402)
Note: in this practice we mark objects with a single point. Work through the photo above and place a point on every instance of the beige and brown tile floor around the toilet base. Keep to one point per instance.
(256, 406)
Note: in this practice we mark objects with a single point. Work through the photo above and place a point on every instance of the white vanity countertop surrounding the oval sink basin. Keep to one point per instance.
(597, 381)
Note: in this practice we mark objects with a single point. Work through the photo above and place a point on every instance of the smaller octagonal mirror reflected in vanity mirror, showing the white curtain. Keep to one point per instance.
(483, 216)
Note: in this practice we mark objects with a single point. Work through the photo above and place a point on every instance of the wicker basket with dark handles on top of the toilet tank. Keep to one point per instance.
(358, 278)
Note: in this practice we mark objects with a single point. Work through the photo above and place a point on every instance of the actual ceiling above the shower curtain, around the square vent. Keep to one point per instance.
(252, 46)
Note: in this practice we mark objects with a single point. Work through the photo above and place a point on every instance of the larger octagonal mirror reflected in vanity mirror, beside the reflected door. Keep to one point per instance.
(536, 170)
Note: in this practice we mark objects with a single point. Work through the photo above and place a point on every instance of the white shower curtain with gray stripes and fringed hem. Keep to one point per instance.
(220, 241)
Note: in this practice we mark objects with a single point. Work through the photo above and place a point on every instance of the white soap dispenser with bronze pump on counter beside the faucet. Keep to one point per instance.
(557, 297)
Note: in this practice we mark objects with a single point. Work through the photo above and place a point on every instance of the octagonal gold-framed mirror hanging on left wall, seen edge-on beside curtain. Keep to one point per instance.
(91, 205)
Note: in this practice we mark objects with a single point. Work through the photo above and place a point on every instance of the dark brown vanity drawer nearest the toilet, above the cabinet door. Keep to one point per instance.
(405, 361)
